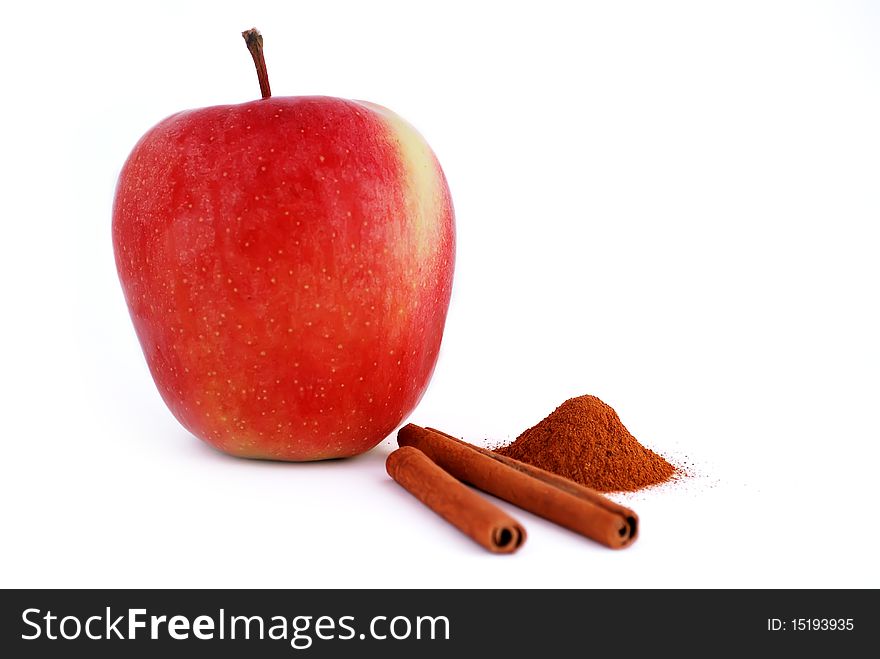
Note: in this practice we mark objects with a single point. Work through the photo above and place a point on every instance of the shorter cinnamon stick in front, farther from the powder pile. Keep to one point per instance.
(476, 517)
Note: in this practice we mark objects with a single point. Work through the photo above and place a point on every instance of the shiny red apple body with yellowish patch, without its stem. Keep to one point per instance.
(287, 265)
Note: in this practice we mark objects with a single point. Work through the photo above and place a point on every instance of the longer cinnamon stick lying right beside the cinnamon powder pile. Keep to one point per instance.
(552, 497)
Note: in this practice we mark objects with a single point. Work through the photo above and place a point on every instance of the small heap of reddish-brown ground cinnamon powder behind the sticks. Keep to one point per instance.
(584, 440)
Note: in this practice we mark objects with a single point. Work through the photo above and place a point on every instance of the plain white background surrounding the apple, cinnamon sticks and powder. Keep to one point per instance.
(673, 206)
